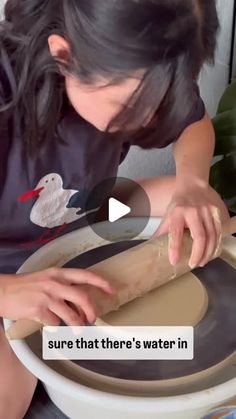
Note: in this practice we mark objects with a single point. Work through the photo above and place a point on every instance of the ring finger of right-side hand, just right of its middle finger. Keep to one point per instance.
(211, 236)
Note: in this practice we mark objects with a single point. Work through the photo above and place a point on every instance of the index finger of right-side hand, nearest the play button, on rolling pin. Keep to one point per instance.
(176, 232)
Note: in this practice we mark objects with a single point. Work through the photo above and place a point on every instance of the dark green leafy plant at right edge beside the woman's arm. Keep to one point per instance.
(223, 172)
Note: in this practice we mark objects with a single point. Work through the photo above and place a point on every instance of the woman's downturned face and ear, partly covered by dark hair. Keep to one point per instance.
(98, 103)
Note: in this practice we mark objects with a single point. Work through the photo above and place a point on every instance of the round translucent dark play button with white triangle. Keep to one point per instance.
(115, 203)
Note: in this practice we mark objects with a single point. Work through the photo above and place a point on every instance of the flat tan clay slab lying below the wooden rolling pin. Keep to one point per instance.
(182, 302)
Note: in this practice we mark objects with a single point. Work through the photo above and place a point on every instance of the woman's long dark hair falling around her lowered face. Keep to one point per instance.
(168, 39)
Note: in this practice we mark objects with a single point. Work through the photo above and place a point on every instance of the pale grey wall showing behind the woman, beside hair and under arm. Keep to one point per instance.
(141, 163)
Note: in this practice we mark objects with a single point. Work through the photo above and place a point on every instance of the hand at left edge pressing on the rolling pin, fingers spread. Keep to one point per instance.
(50, 296)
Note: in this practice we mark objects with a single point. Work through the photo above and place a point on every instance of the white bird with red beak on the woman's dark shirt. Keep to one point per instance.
(55, 206)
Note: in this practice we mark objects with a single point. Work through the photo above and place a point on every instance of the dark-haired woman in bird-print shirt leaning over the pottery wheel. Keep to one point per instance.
(80, 82)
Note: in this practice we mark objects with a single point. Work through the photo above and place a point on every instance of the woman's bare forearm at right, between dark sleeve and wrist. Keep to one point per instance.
(194, 152)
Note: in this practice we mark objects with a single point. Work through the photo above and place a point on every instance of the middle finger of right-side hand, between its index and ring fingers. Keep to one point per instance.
(198, 234)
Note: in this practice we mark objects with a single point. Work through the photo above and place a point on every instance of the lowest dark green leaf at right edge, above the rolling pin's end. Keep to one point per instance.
(223, 177)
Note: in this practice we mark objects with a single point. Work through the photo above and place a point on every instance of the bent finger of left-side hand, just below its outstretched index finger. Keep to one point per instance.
(78, 297)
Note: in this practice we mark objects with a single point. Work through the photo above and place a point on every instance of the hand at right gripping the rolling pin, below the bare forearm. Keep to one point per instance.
(192, 207)
